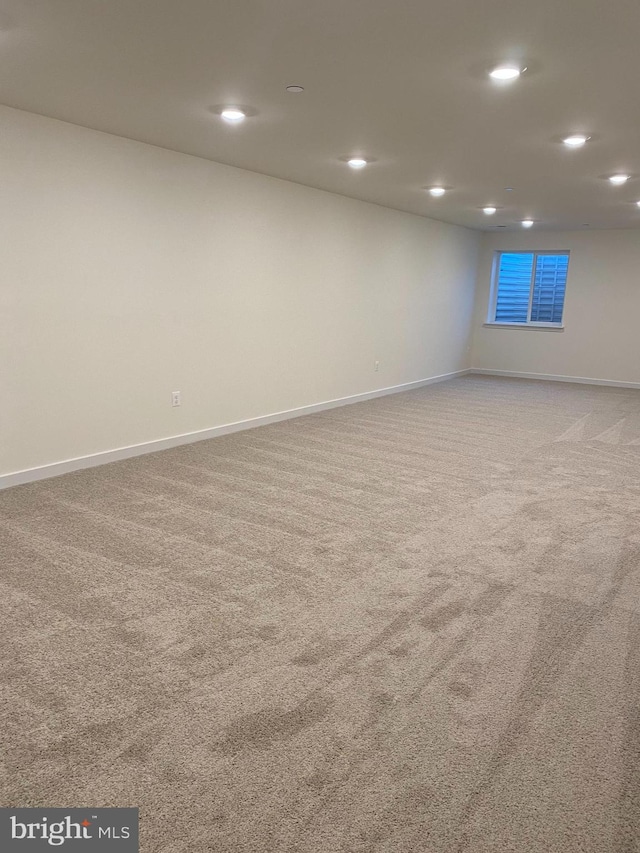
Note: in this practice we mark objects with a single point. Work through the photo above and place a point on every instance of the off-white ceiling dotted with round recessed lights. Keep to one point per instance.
(404, 82)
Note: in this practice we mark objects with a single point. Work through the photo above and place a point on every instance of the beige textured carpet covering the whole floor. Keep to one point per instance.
(406, 626)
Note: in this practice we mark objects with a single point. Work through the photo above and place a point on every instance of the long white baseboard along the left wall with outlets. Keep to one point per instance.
(30, 475)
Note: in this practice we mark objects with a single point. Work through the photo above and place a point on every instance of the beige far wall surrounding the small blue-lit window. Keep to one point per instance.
(601, 339)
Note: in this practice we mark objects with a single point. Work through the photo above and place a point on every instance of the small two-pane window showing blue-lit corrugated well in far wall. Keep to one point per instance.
(528, 288)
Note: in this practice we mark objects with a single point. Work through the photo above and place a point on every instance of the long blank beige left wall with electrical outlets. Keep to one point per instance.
(130, 271)
